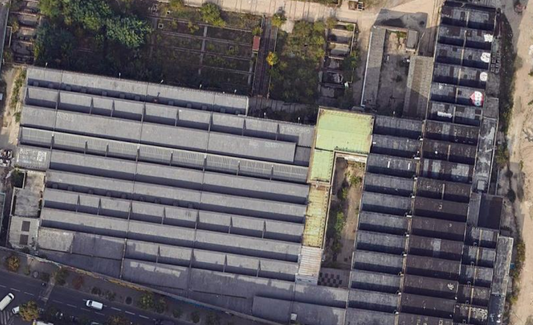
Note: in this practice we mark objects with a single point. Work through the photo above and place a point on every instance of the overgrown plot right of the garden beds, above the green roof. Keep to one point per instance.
(295, 77)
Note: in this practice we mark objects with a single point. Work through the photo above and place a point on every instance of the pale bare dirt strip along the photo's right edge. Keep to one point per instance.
(521, 153)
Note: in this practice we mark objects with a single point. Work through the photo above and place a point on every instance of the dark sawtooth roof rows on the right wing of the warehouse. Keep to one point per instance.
(426, 249)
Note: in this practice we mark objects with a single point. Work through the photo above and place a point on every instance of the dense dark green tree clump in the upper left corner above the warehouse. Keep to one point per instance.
(95, 36)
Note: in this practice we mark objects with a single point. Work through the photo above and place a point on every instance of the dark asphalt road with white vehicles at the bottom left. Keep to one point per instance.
(69, 302)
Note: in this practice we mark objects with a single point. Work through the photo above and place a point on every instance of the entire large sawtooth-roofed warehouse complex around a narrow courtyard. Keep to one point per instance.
(180, 190)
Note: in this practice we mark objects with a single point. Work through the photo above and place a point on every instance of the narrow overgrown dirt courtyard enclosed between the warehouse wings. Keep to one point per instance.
(344, 171)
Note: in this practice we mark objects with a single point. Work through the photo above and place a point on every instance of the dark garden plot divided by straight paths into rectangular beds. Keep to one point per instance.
(201, 55)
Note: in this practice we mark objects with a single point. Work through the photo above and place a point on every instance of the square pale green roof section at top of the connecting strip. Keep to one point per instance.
(344, 131)
